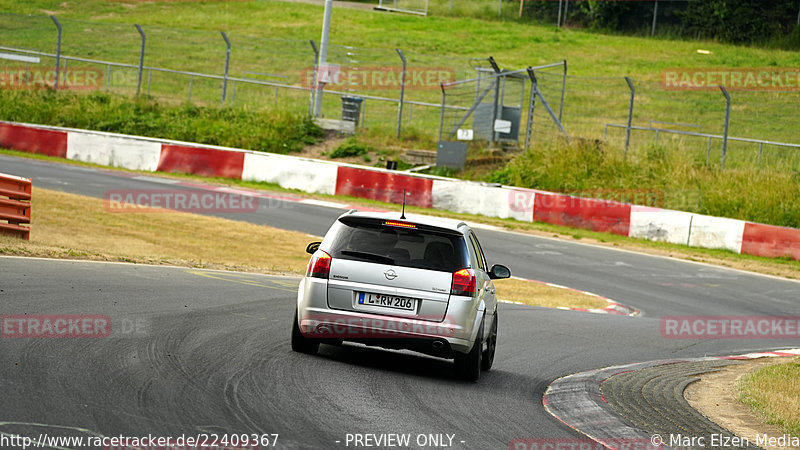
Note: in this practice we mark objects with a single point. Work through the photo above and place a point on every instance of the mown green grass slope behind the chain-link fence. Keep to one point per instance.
(271, 37)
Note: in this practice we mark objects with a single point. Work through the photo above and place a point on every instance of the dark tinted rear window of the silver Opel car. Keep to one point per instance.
(422, 248)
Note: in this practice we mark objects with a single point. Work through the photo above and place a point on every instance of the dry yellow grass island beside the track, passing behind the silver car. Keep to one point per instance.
(76, 227)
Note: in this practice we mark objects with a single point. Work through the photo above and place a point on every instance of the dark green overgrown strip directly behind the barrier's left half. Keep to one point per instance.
(268, 131)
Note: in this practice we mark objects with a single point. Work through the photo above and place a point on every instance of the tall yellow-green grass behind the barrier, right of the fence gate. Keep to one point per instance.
(673, 178)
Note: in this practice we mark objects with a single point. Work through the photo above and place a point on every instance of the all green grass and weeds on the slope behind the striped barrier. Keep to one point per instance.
(270, 42)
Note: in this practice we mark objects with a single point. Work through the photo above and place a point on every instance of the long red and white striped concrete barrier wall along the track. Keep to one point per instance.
(326, 177)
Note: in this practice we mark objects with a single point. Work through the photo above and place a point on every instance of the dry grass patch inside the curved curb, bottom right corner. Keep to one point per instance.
(773, 392)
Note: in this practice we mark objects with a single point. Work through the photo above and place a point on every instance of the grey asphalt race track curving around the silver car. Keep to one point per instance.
(208, 352)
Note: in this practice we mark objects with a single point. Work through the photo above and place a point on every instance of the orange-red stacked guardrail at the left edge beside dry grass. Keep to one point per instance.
(15, 205)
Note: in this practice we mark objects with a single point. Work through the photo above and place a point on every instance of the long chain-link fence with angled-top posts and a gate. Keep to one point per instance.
(401, 90)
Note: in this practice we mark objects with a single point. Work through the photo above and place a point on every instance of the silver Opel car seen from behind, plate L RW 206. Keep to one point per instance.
(420, 284)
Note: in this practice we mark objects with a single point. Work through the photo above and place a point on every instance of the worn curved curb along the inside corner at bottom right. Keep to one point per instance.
(577, 402)
